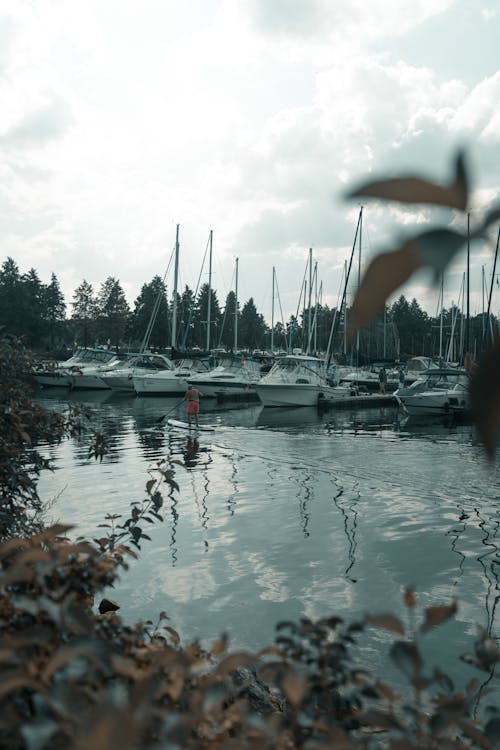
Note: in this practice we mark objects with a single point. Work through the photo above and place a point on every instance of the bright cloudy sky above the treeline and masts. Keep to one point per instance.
(122, 119)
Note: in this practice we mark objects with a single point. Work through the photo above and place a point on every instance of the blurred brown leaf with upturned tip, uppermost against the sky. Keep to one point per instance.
(412, 189)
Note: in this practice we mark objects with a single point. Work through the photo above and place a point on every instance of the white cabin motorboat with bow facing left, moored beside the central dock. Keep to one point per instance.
(298, 380)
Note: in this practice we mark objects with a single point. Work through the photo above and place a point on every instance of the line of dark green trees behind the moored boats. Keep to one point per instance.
(38, 312)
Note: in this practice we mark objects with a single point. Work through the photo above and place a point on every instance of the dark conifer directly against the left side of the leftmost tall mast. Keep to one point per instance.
(151, 312)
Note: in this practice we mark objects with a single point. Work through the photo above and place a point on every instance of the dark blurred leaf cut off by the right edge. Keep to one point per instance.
(485, 398)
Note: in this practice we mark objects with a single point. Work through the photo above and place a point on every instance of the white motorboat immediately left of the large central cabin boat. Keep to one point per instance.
(235, 377)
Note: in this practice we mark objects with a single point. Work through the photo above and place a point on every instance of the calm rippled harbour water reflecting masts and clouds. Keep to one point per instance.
(286, 513)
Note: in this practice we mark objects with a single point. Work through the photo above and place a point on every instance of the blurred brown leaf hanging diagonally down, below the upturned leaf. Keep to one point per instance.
(383, 276)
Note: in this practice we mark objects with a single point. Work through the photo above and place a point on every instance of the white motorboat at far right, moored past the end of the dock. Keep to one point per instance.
(442, 391)
